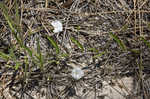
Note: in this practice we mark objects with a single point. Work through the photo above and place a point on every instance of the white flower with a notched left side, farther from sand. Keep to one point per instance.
(58, 27)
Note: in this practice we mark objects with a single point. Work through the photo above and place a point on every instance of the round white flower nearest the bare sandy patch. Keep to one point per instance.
(77, 73)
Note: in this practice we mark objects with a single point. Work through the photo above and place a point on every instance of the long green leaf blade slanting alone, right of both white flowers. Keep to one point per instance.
(119, 42)
